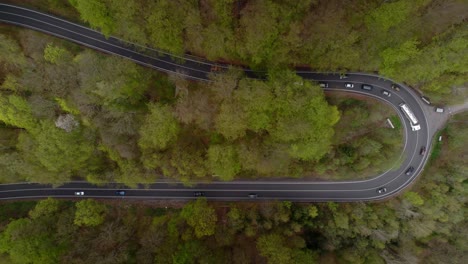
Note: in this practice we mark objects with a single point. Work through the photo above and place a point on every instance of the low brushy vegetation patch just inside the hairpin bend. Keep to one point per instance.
(364, 144)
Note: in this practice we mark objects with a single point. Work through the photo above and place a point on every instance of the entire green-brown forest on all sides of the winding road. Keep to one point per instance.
(68, 113)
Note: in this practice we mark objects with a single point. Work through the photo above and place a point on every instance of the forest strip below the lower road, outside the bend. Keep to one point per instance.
(425, 225)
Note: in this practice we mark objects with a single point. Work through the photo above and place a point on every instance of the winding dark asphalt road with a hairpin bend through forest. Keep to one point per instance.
(394, 180)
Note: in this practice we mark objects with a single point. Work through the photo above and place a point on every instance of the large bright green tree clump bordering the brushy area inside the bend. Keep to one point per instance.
(303, 117)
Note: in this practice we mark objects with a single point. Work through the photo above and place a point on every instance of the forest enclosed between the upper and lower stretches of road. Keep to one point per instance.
(72, 113)
